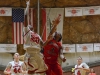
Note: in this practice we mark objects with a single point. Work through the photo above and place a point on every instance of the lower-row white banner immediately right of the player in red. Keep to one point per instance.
(68, 48)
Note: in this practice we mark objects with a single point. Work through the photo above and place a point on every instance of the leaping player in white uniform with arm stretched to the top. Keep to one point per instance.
(33, 57)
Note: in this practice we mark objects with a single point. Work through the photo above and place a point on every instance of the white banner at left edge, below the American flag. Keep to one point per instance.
(11, 48)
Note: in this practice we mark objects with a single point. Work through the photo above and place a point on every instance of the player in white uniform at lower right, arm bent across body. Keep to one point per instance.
(81, 68)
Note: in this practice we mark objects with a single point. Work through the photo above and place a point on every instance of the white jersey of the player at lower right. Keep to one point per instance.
(82, 65)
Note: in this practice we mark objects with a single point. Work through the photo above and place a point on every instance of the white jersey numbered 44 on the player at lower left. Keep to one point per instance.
(15, 68)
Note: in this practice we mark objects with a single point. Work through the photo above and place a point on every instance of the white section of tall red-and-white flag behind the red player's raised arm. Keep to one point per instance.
(51, 14)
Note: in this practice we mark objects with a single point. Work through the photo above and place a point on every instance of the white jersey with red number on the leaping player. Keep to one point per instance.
(31, 38)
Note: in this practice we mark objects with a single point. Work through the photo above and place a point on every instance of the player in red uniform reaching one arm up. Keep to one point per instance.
(53, 50)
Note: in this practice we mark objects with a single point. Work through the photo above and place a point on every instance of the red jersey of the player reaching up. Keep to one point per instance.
(51, 52)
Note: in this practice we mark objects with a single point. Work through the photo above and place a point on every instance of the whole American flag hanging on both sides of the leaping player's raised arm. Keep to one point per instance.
(18, 21)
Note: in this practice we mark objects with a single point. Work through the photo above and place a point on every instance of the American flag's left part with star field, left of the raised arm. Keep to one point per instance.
(18, 20)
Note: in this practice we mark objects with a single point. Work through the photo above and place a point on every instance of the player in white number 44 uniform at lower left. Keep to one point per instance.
(15, 67)
